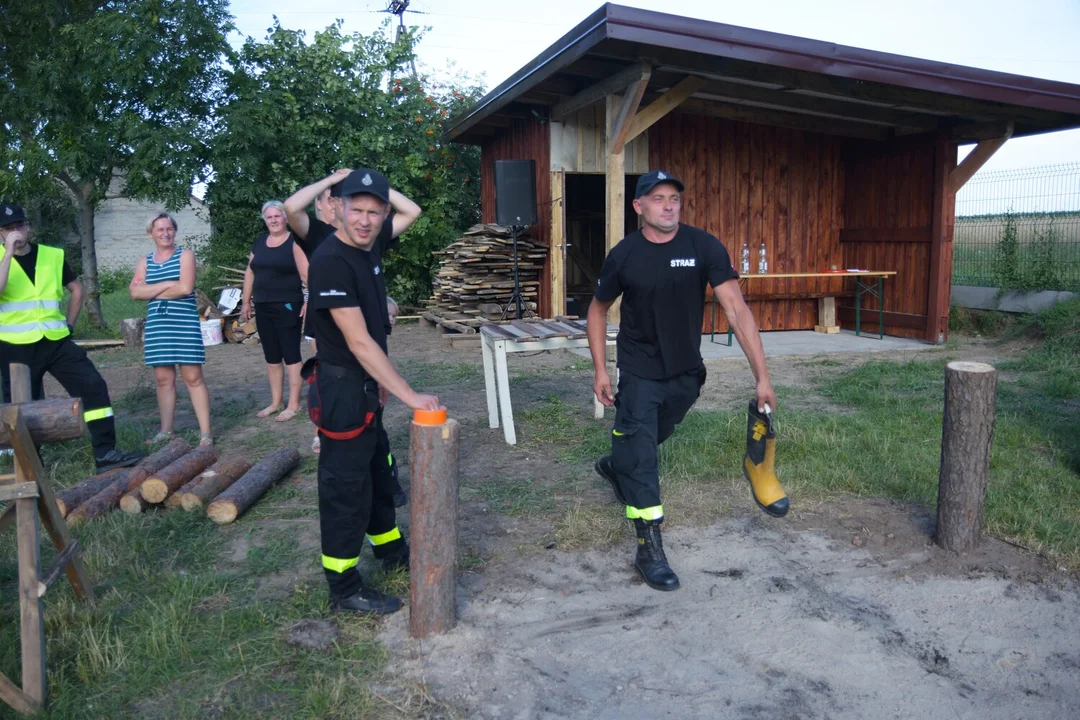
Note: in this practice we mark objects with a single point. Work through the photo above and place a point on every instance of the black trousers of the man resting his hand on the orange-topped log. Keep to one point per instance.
(356, 488)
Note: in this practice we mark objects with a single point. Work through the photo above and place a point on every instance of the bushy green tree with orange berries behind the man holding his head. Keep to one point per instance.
(298, 111)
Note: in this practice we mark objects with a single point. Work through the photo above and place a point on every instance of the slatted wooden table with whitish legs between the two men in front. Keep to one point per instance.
(523, 337)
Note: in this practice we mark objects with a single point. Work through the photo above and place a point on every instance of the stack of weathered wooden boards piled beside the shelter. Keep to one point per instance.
(476, 279)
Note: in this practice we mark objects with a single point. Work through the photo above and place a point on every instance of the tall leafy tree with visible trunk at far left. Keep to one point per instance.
(97, 90)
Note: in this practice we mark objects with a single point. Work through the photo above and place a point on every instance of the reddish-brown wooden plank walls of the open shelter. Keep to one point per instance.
(815, 200)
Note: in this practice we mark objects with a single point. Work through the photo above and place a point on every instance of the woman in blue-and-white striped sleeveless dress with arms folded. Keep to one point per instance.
(167, 279)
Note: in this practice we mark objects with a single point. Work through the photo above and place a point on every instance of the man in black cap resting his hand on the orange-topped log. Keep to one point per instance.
(348, 308)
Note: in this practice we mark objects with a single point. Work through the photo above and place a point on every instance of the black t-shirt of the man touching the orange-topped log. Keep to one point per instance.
(342, 276)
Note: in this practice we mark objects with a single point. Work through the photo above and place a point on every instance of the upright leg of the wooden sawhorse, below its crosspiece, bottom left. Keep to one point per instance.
(32, 620)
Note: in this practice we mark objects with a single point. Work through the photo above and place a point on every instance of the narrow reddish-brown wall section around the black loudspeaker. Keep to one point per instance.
(524, 140)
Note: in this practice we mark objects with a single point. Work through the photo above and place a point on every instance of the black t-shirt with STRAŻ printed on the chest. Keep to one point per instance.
(664, 298)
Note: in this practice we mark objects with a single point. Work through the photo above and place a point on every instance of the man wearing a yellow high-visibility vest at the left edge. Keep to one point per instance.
(34, 332)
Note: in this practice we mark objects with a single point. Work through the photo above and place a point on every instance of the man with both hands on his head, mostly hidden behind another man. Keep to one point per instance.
(312, 232)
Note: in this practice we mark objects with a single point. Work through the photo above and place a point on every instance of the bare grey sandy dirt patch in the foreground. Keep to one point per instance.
(773, 621)
